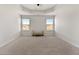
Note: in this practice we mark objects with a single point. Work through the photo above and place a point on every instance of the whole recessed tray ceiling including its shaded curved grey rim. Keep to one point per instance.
(42, 8)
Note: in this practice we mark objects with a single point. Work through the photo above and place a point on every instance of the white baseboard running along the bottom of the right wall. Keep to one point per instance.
(70, 41)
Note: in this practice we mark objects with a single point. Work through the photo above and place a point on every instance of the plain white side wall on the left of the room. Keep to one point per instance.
(8, 23)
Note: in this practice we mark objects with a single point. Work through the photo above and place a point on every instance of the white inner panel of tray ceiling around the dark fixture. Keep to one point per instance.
(40, 7)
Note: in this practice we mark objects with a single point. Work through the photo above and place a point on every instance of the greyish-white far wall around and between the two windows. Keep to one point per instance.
(38, 23)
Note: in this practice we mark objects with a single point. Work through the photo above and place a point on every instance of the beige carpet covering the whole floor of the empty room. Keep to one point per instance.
(39, 46)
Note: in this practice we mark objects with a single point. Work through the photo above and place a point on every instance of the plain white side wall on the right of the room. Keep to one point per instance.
(67, 24)
